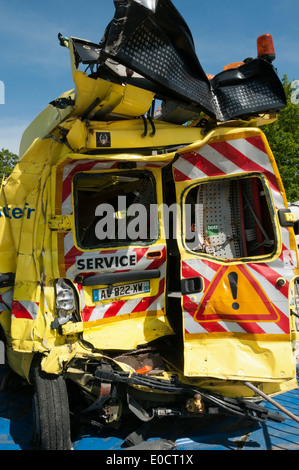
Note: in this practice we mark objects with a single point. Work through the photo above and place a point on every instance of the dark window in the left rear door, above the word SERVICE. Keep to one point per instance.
(115, 209)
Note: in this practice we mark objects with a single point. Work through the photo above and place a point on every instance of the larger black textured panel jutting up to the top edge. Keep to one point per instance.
(158, 45)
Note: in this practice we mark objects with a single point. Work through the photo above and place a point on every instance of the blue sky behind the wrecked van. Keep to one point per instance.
(35, 69)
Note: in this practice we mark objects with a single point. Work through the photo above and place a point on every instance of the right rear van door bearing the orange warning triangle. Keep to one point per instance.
(236, 260)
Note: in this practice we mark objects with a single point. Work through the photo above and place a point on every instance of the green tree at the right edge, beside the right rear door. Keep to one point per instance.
(283, 137)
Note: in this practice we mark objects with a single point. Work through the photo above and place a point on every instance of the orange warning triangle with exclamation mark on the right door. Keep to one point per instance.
(235, 295)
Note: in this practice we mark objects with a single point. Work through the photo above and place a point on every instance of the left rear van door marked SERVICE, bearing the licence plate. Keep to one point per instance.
(114, 253)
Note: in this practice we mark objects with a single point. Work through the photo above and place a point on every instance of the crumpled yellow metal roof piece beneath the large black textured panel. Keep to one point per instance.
(111, 99)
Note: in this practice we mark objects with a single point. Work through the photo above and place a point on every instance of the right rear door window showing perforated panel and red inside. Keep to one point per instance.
(230, 218)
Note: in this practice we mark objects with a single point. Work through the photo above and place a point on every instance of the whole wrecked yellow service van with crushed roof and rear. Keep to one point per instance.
(147, 255)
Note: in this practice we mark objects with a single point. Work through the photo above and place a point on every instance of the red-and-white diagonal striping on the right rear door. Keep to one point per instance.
(236, 157)
